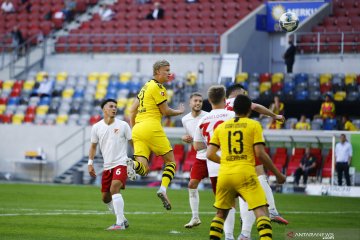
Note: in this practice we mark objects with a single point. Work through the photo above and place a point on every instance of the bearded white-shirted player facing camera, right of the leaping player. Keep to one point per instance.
(199, 169)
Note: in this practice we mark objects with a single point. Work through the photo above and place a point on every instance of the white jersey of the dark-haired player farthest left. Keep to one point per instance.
(113, 140)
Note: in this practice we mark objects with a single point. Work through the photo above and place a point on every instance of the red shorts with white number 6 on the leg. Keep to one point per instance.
(116, 173)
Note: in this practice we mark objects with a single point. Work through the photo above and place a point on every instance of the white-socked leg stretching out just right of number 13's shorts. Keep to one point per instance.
(274, 214)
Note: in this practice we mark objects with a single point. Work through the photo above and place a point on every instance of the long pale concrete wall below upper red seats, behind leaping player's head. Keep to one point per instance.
(117, 63)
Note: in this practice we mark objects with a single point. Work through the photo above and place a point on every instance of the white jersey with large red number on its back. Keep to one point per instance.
(205, 130)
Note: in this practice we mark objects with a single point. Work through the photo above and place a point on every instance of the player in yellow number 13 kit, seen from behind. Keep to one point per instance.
(240, 139)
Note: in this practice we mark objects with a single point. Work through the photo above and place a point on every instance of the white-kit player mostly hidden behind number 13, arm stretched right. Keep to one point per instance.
(248, 217)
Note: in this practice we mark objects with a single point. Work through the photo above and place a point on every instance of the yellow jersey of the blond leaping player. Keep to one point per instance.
(150, 96)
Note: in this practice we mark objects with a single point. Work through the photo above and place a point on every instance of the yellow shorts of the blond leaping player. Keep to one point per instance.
(150, 137)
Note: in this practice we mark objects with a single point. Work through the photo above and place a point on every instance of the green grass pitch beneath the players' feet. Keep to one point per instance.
(29, 211)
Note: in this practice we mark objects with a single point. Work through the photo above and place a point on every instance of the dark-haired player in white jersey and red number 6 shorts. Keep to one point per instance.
(113, 136)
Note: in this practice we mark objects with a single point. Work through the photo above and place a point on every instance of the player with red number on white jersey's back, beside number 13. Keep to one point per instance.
(203, 134)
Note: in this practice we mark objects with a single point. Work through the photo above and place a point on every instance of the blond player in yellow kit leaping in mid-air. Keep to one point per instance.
(147, 133)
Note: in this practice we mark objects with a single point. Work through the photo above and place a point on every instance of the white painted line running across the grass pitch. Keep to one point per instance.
(79, 212)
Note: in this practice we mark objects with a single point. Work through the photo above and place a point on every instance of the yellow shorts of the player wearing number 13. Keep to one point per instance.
(245, 184)
